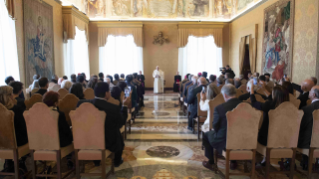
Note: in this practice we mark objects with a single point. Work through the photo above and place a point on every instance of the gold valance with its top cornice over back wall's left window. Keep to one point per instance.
(120, 29)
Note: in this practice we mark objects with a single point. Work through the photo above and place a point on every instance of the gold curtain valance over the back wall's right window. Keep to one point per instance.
(200, 30)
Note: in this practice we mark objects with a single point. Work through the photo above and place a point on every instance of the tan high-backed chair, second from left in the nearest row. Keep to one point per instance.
(44, 141)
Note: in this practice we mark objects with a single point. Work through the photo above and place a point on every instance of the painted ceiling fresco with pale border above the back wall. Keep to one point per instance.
(206, 10)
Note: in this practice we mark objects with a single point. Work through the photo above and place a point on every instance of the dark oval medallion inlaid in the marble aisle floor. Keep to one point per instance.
(162, 151)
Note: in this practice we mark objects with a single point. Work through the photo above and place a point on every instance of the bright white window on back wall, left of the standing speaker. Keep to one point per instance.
(121, 55)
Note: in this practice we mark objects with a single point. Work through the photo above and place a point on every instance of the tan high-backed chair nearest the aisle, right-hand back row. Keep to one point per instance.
(241, 144)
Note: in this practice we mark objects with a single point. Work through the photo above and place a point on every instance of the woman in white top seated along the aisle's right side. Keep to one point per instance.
(212, 92)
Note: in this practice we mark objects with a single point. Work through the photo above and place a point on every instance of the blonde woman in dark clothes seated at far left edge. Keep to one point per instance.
(8, 101)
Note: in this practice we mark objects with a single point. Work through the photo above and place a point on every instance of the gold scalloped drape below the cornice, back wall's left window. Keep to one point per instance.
(104, 33)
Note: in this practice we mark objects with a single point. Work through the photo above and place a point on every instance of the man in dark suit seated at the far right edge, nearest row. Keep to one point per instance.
(305, 132)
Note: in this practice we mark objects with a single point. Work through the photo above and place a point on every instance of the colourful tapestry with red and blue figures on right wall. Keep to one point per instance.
(278, 39)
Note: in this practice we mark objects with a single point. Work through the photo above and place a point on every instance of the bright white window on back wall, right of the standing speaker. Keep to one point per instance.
(200, 54)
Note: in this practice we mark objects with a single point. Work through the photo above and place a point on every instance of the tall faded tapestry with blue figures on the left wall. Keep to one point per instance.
(38, 39)
